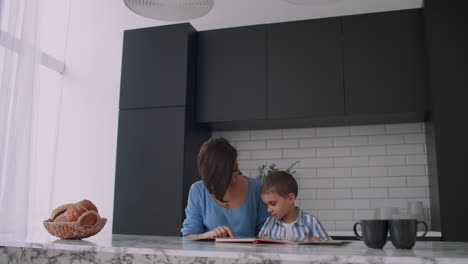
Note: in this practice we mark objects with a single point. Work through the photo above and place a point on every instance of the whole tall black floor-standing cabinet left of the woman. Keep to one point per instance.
(158, 137)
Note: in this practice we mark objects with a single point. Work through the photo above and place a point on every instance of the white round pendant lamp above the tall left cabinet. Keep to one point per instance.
(170, 10)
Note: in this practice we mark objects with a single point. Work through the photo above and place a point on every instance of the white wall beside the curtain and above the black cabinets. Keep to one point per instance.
(86, 150)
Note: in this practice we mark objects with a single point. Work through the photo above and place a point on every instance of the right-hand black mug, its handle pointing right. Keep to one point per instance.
(403, 232)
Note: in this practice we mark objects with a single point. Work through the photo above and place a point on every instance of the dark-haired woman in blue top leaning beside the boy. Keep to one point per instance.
(223, 203)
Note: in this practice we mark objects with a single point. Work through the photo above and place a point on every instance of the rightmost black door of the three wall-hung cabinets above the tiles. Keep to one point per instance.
(384, 63)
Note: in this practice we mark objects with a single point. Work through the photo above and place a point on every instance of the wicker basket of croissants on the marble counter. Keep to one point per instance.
(75, 221)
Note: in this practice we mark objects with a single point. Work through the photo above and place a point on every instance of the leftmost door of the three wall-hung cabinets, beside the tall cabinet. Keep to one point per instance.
(231, 74)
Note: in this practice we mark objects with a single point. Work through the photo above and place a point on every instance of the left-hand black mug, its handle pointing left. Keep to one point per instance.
(374, 232)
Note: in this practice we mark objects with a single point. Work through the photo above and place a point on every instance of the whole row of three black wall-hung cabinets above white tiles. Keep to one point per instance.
(334, 71)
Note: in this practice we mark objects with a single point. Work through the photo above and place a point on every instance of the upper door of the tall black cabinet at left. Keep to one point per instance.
(153, 61)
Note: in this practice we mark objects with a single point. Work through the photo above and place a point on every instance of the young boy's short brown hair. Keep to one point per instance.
(280, 182)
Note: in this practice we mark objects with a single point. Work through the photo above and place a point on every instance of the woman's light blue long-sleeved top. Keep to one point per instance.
(204, 214)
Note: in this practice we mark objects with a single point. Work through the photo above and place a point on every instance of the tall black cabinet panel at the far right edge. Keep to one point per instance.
(446, 25)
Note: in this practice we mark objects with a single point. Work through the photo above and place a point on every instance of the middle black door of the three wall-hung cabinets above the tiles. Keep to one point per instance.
(305, 71)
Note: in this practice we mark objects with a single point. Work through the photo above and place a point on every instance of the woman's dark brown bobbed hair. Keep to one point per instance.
(216, 162)
